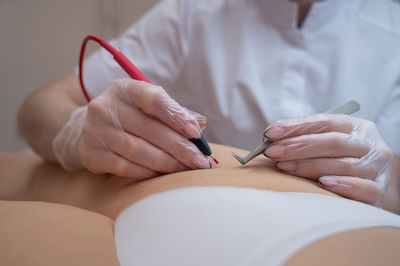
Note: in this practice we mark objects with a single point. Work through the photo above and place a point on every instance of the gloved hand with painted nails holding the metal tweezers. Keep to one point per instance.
(345, 154)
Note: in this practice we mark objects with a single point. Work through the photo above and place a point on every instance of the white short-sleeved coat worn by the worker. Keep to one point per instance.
(244, 63)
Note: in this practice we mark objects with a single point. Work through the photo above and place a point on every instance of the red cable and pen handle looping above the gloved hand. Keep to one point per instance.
(119, 57)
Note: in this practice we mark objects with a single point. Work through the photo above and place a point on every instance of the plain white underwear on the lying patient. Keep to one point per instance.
(234, 226)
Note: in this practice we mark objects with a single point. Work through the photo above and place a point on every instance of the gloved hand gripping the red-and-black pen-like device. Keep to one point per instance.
(133, 129)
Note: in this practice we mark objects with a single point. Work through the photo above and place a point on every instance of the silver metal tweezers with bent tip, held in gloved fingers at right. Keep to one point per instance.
(347, 109)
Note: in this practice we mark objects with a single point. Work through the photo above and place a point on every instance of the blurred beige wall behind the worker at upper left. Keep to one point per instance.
(40, 43)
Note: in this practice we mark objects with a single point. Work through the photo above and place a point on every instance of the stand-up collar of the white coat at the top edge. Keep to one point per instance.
(284, 14)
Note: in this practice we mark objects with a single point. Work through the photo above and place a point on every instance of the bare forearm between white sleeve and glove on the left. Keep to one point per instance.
(45, 112)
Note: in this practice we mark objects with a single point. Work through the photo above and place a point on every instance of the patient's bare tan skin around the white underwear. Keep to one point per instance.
(36, 185)
